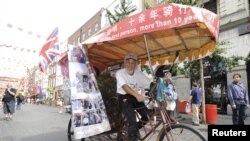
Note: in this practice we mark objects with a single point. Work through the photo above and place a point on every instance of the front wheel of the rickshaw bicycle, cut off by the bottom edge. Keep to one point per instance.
(180, 132)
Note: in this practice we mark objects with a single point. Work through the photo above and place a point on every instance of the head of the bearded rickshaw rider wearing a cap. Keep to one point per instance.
(130, 63)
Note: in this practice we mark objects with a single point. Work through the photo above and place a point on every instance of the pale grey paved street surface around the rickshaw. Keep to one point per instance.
(41, 122)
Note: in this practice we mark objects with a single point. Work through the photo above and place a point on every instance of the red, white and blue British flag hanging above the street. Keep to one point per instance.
(49, 50)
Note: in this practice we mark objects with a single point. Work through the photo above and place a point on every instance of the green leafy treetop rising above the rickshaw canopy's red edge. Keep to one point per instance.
(123, 12)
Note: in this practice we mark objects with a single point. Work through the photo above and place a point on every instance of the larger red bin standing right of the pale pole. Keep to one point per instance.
(211, 113)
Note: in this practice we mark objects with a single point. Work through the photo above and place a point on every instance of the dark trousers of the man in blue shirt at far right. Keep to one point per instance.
(239, 114)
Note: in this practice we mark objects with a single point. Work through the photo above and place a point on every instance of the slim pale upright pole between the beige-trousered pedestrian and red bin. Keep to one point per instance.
(203, 92)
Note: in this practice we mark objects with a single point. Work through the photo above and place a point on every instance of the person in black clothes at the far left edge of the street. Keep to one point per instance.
(9, 102)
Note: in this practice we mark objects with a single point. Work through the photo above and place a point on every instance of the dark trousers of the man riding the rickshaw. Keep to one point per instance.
(129, 104)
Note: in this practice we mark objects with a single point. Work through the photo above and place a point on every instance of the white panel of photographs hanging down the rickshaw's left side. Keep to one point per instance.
(88, 110)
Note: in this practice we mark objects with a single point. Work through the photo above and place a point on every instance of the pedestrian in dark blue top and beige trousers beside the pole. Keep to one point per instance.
(195, 100)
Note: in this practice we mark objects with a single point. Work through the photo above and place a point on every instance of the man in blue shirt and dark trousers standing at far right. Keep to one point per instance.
(238, 99)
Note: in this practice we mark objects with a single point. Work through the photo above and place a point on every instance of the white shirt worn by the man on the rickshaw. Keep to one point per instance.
(137, 81)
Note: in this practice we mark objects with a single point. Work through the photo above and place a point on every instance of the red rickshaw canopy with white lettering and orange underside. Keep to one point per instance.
(171, 33)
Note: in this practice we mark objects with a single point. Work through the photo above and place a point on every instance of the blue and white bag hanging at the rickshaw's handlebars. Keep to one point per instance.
(165, 91)
